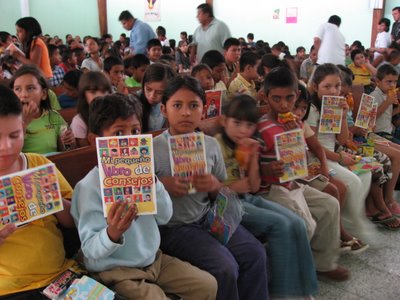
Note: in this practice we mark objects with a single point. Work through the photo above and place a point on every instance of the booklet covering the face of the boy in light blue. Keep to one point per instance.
(126, 169)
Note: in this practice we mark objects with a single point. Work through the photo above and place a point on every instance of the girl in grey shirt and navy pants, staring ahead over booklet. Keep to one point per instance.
(240, 265)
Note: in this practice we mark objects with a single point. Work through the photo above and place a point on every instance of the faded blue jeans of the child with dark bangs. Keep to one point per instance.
(289, 252)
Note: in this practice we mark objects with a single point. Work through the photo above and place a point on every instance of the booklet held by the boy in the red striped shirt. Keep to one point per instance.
(290, 148)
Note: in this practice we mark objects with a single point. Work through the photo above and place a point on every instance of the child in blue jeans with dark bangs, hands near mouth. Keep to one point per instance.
(291, 264)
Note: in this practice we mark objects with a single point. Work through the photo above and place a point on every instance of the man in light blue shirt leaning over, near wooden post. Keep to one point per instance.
(141, 32)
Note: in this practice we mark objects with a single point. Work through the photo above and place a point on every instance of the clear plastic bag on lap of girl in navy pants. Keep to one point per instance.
(225, 215)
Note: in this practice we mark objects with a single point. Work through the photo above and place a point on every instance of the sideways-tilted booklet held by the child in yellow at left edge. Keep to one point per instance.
(29, 195)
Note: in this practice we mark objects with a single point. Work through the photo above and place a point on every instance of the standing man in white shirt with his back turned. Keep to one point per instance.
(329, 42)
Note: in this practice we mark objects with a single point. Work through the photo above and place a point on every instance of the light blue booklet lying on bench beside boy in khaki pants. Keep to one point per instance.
(89, 289)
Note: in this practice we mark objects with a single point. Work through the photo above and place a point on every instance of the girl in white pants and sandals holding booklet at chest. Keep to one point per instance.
(327, 82)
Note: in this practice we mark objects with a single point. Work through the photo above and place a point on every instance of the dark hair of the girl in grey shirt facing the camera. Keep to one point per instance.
(183, 82)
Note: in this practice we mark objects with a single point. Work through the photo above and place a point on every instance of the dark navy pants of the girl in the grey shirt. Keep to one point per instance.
(239, 266)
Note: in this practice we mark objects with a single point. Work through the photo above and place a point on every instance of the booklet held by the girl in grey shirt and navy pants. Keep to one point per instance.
(187, 156)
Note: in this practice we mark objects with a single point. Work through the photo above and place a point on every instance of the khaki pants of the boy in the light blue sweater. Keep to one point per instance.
(167, 275)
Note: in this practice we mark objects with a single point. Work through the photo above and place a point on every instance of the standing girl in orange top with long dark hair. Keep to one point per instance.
(34, 50)
